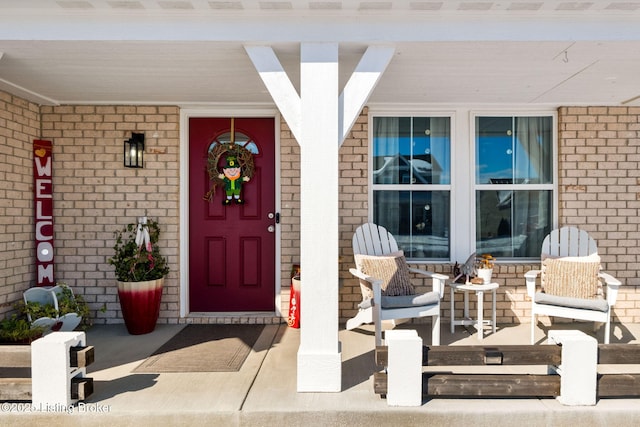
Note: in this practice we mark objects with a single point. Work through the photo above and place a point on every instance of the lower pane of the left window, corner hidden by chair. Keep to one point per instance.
(419, 220)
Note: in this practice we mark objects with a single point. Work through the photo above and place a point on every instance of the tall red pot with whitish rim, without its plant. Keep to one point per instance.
(140, 304)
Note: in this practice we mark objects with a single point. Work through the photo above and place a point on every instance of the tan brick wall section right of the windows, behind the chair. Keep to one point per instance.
(599, 167)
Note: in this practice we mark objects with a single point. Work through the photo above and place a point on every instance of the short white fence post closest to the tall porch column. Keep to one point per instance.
(404, 368)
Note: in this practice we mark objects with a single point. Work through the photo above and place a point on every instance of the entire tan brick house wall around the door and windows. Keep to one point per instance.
(94, 195)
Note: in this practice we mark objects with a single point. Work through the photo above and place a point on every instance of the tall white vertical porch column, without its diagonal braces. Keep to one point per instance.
(319, 358)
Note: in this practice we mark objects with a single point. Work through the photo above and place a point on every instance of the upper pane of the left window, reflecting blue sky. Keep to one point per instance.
(411, 150)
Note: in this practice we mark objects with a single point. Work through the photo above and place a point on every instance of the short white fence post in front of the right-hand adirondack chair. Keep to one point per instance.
(579, 369)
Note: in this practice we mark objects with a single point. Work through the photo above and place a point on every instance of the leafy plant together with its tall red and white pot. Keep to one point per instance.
(140, 272)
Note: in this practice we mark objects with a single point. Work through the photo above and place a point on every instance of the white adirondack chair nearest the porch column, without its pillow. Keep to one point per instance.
(371, 239)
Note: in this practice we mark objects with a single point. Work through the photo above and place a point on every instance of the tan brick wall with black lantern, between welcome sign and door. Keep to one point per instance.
(94, 194)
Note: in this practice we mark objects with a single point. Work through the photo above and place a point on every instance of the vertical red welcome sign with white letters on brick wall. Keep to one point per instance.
(43, 198)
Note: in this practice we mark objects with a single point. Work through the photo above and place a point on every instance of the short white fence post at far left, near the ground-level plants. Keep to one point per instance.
(51, 371)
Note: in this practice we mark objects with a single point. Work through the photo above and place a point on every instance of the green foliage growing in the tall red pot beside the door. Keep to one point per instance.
(134, 263)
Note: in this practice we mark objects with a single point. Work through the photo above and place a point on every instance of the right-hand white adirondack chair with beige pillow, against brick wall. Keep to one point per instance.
(573, 246)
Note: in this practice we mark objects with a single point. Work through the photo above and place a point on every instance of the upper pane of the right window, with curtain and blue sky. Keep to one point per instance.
(514, 150)
